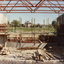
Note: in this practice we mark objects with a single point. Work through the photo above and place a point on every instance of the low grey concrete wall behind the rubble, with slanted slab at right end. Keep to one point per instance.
(17, 45)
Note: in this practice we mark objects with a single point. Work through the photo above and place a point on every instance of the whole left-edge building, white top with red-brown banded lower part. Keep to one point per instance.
(3, 29)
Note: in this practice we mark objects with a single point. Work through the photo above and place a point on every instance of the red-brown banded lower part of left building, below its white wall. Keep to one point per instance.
(3, 33)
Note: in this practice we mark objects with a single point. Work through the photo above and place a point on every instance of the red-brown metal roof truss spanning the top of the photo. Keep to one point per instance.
(32, 6)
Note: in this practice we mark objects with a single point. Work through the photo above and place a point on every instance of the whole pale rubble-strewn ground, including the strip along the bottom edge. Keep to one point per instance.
(10, 55)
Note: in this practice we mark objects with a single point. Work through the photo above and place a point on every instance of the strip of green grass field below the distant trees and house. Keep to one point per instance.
(30, 29)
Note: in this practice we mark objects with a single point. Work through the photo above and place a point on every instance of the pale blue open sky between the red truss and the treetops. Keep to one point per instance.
(39, 17)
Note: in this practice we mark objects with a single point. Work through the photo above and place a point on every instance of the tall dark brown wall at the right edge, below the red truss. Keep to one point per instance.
(60, 30)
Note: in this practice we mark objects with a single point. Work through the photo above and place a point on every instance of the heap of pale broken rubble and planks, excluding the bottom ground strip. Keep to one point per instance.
(15, 54)
